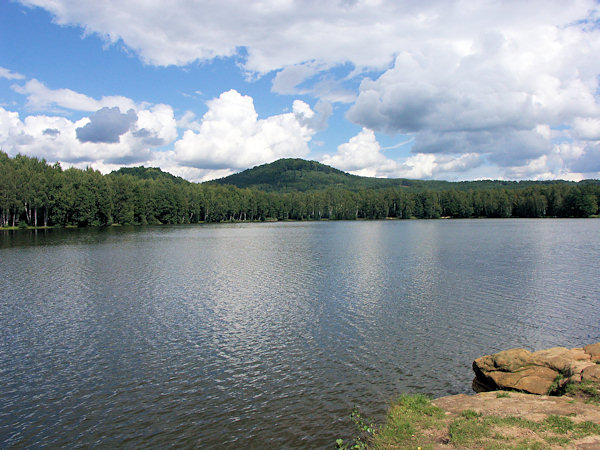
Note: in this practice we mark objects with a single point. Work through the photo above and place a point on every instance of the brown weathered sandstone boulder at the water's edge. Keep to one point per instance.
(541, 372)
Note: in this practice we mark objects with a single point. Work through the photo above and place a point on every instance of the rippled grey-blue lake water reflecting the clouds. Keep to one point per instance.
(267, 335)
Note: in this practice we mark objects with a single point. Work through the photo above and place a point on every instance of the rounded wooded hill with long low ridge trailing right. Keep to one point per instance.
(299, 175)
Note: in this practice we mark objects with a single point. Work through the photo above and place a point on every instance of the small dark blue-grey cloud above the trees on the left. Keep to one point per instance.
(107, 125)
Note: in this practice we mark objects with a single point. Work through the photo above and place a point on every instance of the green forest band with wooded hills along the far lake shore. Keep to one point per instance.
(35, 193)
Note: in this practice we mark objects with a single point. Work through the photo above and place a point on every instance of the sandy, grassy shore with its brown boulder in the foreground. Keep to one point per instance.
(565, 415)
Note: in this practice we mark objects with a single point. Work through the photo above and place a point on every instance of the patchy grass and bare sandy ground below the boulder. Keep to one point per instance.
(413, 422)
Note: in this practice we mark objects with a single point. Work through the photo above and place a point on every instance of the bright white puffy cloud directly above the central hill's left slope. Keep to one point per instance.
(230, 135)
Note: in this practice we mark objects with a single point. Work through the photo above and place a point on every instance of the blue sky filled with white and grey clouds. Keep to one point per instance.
(452, 90)
